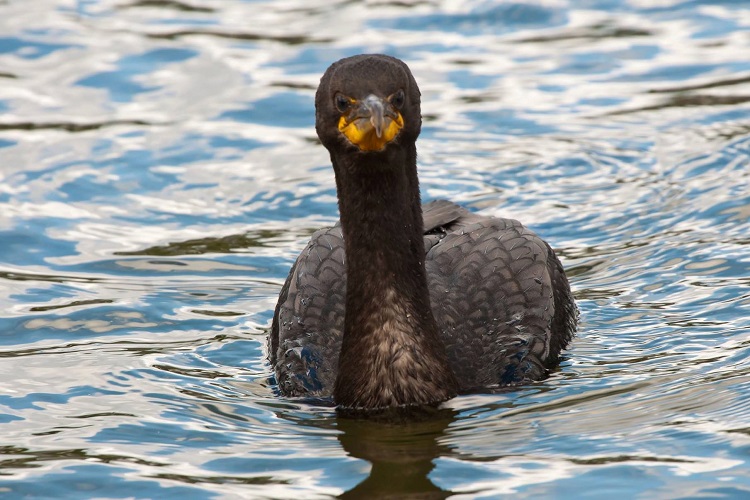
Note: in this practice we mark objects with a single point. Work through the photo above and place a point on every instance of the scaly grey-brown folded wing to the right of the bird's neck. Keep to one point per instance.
(492, 293)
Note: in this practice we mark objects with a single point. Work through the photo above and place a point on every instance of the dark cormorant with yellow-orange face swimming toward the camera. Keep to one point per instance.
(403, 304)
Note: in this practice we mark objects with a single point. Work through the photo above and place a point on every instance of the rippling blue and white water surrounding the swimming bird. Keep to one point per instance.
(159, 173)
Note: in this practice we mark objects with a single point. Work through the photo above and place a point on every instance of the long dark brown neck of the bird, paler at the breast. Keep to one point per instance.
(391, 353)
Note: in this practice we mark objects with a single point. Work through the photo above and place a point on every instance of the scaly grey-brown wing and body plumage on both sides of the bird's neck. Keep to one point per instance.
(498, 293)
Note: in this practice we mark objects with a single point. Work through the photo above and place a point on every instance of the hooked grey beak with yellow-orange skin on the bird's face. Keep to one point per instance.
(371, 123)
